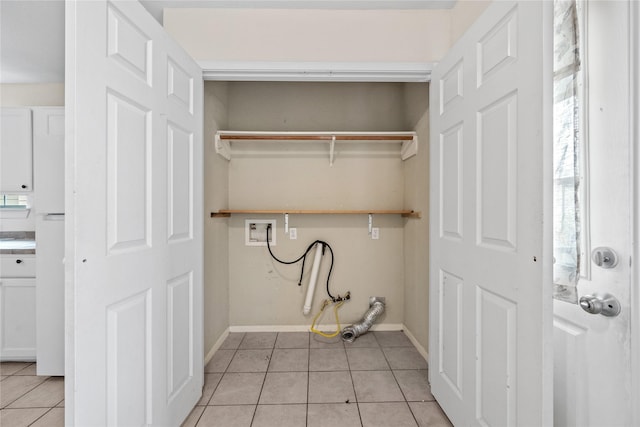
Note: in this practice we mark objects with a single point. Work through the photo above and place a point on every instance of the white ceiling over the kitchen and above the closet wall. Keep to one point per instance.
(32, 31)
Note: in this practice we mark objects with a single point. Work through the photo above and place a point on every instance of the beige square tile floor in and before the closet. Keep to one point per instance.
(299, 379)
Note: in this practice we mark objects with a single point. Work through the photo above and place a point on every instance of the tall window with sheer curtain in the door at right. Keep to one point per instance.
(568, 164)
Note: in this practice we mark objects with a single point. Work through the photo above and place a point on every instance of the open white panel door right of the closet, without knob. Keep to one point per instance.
(490, 328)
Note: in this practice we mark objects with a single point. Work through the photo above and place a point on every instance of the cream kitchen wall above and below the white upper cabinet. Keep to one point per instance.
(28, 95)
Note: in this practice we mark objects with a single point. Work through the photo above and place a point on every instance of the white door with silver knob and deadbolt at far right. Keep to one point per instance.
(593, 358)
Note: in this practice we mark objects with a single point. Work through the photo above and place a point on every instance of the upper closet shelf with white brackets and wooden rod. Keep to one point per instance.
(407, 141)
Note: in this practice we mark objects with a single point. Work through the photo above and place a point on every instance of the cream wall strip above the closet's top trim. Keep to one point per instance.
(310, 35)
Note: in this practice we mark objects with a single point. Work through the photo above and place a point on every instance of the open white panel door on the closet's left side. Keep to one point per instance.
(134, 220)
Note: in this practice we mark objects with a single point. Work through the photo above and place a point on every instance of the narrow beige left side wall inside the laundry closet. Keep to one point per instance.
(216, 230)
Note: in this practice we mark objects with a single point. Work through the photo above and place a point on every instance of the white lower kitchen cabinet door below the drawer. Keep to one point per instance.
(17, 319)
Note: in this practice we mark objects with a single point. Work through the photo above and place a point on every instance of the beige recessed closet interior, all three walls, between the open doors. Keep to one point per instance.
(245, 290)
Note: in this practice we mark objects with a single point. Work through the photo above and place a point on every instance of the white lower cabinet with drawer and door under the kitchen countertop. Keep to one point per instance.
(18, 308)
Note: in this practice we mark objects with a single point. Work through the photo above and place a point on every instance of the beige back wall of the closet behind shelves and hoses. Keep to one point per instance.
(263, 292)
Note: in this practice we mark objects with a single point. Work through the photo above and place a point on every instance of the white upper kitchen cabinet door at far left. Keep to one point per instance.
(16, 152)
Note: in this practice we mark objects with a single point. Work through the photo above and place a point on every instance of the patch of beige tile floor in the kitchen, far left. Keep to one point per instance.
(29, 400)
